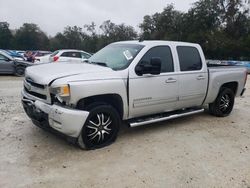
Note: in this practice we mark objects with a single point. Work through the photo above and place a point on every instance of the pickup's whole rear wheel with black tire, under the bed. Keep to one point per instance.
(223, 104)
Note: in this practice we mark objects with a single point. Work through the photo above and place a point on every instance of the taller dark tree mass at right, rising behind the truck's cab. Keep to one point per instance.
(221, 27)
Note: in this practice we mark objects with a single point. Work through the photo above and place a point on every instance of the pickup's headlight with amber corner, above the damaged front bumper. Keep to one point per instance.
(62, 93)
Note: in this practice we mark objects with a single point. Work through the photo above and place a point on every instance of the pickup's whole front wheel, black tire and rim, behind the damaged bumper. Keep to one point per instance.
(101, 127)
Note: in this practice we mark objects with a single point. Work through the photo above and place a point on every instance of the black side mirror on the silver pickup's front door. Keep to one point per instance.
(144, 67)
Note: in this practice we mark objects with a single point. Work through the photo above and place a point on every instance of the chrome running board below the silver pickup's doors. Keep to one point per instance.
(159, 118)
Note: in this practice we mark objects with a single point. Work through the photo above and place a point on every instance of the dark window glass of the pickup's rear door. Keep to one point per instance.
(189, 58)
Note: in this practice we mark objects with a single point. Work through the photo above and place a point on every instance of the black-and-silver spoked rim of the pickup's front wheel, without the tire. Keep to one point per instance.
(99, 129)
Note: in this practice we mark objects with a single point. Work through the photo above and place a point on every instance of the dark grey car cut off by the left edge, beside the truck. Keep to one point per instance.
(9, 65)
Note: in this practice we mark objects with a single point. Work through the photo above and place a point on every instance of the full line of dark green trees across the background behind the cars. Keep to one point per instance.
(221, 27)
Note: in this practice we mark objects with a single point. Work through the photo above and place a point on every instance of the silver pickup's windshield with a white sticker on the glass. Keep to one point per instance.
(116, 56)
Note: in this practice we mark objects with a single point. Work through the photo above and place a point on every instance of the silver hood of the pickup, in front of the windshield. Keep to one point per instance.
(46, 73)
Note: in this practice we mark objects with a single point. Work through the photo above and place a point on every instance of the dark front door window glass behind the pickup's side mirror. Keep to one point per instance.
(162, 52)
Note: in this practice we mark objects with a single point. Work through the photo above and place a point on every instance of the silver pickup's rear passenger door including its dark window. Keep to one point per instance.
(193, 78)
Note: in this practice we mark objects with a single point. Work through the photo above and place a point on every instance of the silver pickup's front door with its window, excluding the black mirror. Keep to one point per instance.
(149, 94)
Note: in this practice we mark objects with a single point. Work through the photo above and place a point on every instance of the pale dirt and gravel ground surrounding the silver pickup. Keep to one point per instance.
(195, 151)
